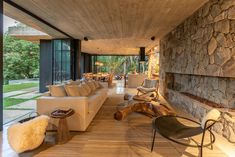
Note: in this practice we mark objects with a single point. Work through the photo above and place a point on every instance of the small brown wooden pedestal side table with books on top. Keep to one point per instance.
(63, 134)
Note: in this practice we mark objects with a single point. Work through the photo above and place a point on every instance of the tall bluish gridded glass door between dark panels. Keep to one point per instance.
(61, 61)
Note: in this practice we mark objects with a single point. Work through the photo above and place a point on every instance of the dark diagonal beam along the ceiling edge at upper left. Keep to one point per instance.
(36, 17)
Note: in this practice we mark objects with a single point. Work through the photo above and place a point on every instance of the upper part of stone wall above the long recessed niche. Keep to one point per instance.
(204, 44)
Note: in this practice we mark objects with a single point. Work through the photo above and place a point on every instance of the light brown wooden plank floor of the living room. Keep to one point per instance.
(106, 137)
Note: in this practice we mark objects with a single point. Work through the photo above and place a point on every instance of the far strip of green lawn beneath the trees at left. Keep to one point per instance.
(15, 87)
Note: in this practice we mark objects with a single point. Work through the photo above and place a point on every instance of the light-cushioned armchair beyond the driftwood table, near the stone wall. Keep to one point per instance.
(148, 87)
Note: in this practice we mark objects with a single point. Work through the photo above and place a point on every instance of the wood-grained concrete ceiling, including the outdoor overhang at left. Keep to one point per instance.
(112, 26)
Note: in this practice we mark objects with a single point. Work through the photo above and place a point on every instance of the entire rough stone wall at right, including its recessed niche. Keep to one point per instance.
(198, 57)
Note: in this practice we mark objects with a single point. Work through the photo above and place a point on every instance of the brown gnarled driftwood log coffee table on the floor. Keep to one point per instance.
(148, 109)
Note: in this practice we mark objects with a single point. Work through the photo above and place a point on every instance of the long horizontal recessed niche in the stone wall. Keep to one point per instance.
(215, 89)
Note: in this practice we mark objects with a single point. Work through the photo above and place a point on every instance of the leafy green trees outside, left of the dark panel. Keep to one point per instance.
(20, 59)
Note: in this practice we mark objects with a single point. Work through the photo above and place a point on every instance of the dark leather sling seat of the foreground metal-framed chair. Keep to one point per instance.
(172, 128)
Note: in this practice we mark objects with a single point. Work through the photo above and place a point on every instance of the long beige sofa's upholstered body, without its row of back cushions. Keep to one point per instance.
(85, 108)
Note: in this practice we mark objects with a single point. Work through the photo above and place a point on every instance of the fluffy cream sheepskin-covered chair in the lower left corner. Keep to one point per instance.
(27, 135)
